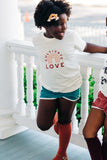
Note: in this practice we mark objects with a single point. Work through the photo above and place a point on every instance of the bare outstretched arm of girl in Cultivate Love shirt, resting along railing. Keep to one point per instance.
(92, 48)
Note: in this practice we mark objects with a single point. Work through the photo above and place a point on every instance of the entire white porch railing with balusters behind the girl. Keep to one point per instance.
(23, 53)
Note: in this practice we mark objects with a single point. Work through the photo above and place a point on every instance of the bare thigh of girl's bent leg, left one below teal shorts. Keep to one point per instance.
(46, 112)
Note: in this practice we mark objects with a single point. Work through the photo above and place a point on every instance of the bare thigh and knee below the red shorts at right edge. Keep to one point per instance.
(94, 122)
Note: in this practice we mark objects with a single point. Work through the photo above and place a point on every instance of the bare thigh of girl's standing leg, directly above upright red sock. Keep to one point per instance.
(65, 110)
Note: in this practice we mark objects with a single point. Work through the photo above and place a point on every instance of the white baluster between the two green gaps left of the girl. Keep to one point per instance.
(30, 109)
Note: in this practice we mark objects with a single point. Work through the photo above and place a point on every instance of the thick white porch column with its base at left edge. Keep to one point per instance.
(10, 28)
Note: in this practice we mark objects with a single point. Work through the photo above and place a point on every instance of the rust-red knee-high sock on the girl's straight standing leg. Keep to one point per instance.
(64, 138)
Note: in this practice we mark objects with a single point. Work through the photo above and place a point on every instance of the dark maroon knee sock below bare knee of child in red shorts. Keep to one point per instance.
(95, 148)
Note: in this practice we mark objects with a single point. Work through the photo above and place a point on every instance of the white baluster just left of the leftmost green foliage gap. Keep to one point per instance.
(20, 74)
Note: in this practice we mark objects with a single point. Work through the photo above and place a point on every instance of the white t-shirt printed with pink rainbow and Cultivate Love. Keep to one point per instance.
(58, 70)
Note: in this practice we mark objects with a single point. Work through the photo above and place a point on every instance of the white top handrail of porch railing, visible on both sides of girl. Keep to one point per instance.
(27, 48)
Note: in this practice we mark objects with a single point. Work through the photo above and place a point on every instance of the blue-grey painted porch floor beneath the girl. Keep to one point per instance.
(33, 145)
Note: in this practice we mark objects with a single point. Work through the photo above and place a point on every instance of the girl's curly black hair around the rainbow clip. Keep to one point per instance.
(47, 7)
